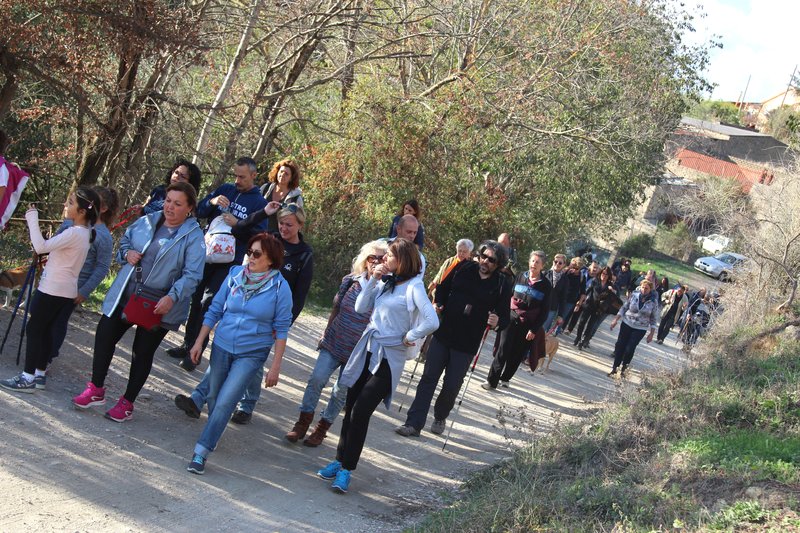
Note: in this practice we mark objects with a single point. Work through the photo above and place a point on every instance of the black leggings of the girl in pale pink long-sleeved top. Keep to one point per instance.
(49, 316)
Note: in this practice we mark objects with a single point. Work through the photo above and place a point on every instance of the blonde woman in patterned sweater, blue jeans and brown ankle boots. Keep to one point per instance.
(345, 327)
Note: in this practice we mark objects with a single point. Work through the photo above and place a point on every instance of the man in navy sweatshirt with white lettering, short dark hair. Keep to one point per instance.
(236, 201)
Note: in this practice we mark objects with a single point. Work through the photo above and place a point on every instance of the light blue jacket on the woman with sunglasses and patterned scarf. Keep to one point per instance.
(249, 326)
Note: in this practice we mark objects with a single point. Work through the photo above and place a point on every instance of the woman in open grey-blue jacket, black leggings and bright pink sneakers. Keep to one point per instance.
(168, 251)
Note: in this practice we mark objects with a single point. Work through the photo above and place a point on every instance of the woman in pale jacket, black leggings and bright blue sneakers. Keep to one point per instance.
(402, 316)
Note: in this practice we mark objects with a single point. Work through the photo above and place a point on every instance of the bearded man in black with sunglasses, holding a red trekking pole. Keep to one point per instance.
(473, 297)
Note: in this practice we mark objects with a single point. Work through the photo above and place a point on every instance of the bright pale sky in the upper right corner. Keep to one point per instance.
(759, 39)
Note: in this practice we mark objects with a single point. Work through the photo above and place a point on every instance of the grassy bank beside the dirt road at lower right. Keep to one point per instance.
(716, 447)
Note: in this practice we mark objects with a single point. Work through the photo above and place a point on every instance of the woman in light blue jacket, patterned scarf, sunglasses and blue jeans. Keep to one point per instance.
(253, 307)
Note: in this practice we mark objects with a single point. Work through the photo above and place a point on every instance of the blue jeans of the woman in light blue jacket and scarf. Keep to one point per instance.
(228, 375)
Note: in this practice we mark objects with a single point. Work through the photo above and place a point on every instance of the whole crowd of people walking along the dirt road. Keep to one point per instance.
(381, 315)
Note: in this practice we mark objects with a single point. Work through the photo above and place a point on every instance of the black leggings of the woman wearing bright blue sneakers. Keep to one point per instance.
(362, 400)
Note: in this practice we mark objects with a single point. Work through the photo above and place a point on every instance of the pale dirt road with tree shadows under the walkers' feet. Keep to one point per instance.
(63, 469)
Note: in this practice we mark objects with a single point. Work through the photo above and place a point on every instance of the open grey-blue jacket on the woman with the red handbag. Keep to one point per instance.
(177, 269)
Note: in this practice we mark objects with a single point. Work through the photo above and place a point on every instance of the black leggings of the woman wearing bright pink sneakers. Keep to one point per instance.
(109, 331)
